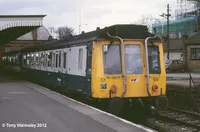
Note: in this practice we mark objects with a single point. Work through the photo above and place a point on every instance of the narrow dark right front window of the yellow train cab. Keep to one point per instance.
(154, 59)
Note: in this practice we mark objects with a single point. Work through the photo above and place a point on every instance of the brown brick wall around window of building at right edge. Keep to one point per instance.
(193, 65)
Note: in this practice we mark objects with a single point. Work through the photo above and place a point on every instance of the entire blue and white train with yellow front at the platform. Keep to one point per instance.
(116, 64)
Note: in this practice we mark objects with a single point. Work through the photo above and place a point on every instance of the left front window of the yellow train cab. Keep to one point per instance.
(111, 59)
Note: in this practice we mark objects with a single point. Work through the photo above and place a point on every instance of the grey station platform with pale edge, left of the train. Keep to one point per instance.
(28, 107)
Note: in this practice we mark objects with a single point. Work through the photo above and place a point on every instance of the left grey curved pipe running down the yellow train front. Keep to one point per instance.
(122, 59)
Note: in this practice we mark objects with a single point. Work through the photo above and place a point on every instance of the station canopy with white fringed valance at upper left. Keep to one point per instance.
(14, 26)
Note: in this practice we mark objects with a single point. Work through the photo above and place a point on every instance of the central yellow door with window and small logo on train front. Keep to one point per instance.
(135, 78)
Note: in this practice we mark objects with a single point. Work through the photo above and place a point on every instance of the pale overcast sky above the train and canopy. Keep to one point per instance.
(94, 13)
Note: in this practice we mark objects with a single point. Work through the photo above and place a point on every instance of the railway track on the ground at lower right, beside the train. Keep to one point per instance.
(181, 117)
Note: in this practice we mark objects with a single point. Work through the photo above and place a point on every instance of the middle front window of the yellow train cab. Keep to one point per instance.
(133, 52)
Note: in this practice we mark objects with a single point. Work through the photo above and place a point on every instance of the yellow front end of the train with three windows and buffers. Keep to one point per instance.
(129, 68)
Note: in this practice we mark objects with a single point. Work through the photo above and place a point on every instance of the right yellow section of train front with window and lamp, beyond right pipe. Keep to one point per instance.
(154, 73)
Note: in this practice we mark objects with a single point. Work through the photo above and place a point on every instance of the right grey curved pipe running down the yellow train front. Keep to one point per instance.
(147, 63)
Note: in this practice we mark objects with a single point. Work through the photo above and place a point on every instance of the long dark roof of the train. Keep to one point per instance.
(124, 31)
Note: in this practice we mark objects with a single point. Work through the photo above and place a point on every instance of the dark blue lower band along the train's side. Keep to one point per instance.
(73, 82)
